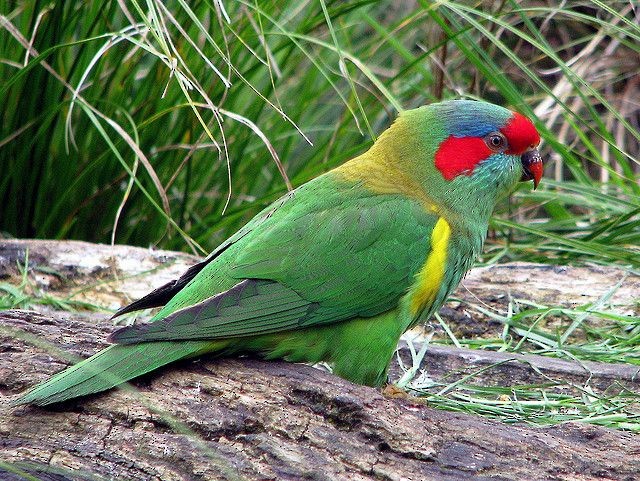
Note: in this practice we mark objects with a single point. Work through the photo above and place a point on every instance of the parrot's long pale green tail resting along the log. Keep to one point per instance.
(110, 367)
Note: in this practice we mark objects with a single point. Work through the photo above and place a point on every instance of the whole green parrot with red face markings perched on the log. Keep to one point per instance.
(339, 268)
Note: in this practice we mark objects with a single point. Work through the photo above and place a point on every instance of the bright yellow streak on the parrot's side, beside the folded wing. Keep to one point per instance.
(430, 276)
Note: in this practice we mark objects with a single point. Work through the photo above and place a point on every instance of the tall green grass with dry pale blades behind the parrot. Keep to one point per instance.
(172, 123)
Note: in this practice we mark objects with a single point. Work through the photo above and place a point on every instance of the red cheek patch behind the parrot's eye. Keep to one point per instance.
(460, 155)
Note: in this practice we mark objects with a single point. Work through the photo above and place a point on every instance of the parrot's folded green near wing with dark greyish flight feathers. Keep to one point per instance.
(322, 255)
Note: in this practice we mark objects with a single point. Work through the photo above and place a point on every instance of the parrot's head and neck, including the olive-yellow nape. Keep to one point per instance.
(457, 155)
